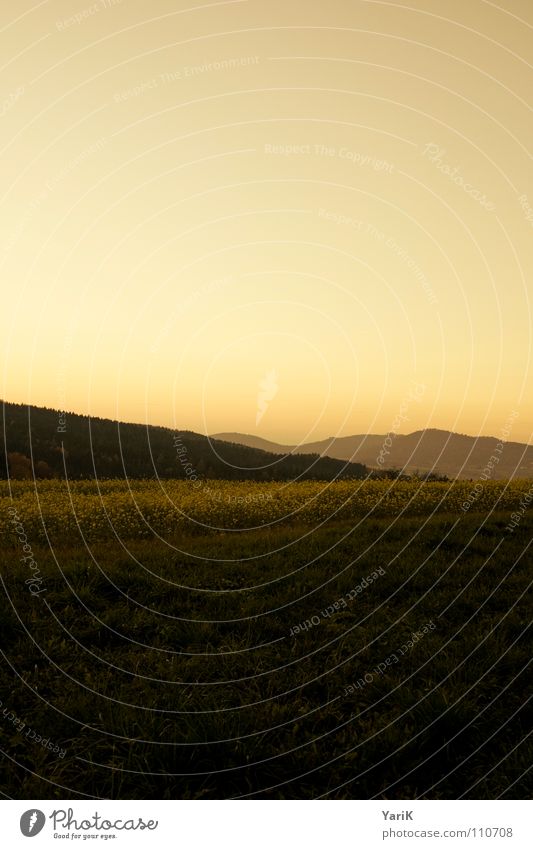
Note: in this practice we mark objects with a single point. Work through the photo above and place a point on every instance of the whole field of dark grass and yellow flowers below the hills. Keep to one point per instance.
(349, 640)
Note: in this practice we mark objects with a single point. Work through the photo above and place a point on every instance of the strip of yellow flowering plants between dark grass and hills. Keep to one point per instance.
(140, 508)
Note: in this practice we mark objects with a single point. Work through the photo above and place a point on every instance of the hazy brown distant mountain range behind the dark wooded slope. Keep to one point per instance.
(440, 451)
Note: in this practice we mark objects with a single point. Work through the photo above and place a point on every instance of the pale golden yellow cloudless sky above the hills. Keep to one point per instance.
(287, 219)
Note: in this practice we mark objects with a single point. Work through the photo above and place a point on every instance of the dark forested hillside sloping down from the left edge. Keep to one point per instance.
(37, 441)
